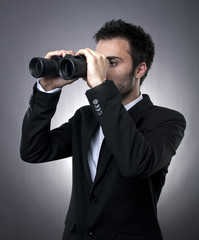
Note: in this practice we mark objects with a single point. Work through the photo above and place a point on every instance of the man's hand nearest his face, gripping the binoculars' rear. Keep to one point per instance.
(97, 66)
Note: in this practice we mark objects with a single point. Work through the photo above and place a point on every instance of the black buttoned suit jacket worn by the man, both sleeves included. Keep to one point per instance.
(136, 153)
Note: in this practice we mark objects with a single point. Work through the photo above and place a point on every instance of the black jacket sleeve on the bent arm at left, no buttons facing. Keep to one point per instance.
(38, 142)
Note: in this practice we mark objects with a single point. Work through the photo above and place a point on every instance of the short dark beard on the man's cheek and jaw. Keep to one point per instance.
(125, 83)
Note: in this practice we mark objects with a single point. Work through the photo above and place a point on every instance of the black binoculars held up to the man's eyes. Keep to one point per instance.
(68, 67)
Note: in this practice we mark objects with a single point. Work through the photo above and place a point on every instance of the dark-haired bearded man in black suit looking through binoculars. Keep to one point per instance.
(121, 144)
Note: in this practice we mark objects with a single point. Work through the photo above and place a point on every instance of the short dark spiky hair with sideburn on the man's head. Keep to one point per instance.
(141, 44)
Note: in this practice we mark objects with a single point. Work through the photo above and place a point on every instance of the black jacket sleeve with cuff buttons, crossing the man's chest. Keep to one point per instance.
(138, 154)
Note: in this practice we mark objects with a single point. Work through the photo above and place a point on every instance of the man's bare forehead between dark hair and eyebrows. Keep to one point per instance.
(113, 47)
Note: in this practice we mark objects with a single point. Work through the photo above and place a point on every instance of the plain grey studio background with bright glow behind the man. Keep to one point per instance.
(34, 198)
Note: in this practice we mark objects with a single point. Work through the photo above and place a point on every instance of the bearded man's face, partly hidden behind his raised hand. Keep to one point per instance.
(117, 51)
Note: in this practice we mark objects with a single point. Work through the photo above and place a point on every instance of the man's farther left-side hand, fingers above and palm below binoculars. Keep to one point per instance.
(50, 83)
